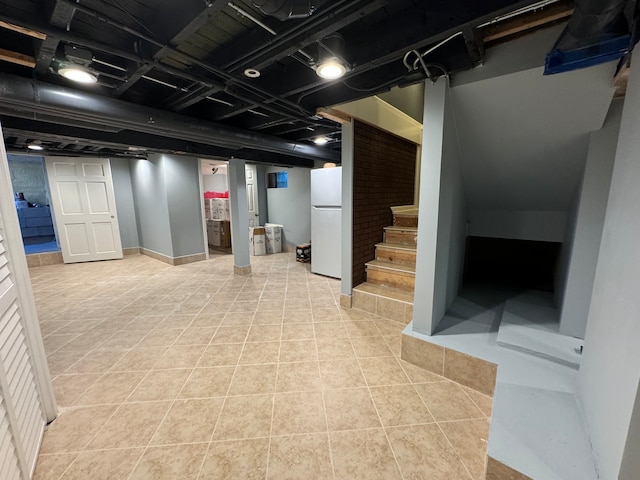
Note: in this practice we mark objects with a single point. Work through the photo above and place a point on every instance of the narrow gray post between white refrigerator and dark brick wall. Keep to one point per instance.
(346, 283)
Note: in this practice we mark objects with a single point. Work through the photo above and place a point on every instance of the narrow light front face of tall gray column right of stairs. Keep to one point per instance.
(430, 170)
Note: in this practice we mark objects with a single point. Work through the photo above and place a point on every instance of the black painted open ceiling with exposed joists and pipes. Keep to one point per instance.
(188, 57)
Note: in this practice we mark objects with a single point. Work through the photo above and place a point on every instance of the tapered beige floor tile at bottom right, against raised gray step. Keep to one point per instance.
(469, 439)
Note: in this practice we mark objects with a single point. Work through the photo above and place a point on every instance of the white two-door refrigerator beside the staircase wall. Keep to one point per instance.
(326, 221)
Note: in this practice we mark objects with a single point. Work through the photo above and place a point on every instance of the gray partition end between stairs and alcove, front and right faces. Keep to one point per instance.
(442, 212)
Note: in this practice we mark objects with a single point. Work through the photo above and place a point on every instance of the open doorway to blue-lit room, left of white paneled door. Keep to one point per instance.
(32, 199)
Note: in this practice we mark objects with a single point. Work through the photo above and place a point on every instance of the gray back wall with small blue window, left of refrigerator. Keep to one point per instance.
(291, 206)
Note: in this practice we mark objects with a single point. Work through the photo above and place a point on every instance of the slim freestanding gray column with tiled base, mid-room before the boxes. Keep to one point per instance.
(239, 217)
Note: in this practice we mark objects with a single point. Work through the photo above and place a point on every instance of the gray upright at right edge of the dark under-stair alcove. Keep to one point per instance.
(588, 229)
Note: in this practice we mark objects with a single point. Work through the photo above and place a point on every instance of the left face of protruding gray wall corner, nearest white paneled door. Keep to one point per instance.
(151, 206)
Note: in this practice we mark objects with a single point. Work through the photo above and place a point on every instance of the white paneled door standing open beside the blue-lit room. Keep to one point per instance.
(84, 209)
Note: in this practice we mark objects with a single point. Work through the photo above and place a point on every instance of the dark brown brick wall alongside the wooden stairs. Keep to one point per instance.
(383, 176)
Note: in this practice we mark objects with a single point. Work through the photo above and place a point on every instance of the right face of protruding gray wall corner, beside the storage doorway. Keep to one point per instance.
(182, 177)
